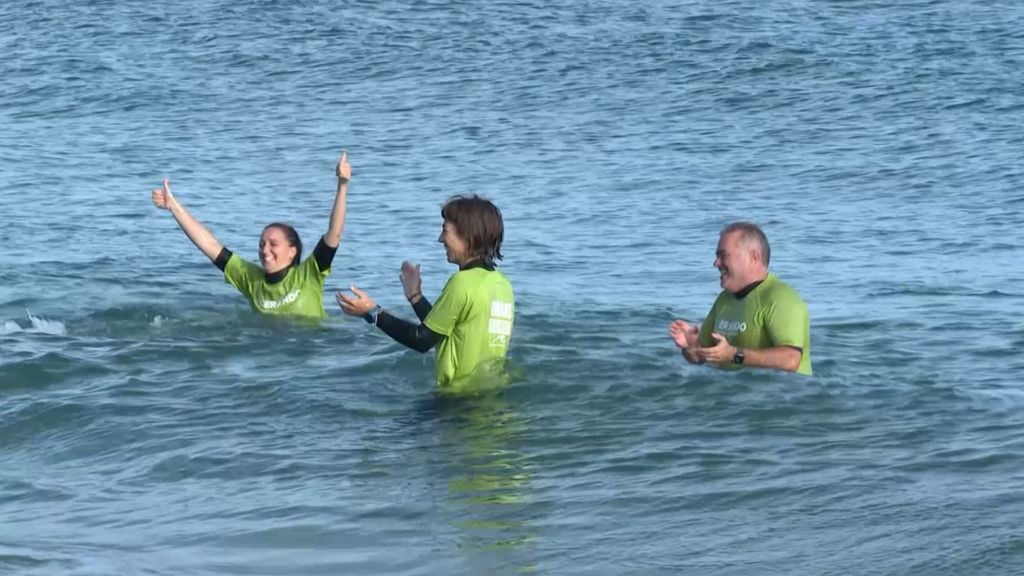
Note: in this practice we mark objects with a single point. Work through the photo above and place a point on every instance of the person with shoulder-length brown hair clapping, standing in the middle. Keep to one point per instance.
(472, 321)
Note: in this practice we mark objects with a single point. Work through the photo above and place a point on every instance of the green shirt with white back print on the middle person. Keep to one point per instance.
(475, 314)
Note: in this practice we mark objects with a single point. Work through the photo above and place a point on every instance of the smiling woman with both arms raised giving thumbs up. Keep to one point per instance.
(284, 284)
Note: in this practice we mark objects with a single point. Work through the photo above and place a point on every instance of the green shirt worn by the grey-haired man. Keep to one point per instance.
(772, 315)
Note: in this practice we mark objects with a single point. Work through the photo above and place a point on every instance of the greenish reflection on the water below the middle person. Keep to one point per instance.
(490, 482)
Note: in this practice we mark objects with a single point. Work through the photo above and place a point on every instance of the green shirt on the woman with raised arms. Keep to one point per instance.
(300, 294)
